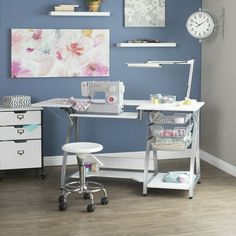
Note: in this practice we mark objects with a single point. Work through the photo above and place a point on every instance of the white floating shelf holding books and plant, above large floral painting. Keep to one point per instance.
(78, 13)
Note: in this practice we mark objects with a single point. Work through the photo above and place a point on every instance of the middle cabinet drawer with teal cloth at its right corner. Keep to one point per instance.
(16, 133)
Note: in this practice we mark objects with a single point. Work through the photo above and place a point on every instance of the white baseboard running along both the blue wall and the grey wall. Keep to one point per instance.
(135, 160)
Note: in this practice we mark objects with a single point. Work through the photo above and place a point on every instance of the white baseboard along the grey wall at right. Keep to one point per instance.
(220, 164)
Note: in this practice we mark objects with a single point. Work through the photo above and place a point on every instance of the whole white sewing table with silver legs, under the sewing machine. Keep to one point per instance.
(142, 106)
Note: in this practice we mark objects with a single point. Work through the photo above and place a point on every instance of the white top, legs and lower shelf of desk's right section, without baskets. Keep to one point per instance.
(155, 181)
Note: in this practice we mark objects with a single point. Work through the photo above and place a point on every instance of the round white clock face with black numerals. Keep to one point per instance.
(200, 25)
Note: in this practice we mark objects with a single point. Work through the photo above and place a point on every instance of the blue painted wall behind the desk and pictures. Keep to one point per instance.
(115, 135)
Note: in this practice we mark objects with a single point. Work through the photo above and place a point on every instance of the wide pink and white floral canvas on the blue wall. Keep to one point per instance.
(59, 53)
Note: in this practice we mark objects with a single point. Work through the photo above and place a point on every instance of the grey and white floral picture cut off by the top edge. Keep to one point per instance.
(145, 13)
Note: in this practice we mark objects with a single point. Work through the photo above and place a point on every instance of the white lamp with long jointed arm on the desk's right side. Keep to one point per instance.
(159, 64)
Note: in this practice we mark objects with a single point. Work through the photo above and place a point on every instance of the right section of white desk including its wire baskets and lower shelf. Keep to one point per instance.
(173, 132)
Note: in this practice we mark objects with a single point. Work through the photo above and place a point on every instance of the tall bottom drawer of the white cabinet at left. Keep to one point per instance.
(15, 155)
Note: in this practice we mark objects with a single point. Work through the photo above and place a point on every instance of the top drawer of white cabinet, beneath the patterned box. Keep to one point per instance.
(20, 118)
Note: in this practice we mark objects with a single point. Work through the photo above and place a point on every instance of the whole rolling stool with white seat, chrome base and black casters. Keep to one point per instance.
(82, 150)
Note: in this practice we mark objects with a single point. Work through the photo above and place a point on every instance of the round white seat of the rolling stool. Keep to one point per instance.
(82, 147)
